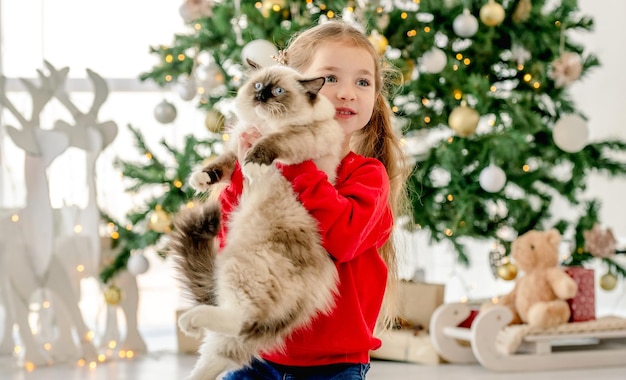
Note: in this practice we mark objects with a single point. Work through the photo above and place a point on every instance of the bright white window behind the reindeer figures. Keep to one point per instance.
(112, 38)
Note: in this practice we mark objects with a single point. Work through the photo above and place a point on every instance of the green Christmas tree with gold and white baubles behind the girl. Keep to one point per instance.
(482, 102)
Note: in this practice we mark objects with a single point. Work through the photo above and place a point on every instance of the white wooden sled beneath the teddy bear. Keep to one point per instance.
(598, 343)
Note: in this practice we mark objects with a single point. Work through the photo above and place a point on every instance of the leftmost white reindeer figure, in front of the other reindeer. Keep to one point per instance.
(29, 264)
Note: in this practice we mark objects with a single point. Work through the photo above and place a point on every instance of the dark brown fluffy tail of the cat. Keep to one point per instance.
(192, 244)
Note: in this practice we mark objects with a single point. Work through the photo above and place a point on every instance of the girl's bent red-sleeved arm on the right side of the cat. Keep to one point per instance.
(354, 214)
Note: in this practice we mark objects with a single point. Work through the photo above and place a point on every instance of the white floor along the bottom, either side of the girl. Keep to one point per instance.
(168, 365)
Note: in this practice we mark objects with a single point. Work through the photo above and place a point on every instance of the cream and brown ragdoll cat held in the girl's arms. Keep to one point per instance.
(273, 275)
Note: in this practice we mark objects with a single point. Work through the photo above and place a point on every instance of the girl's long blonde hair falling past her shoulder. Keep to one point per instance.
(377, 139)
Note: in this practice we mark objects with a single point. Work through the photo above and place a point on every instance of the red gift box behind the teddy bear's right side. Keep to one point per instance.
(583, 305)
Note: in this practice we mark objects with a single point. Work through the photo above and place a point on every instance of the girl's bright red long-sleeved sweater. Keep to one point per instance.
(354, 221)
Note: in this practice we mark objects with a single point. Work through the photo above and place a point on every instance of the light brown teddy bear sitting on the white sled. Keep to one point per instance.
(539, 297)
